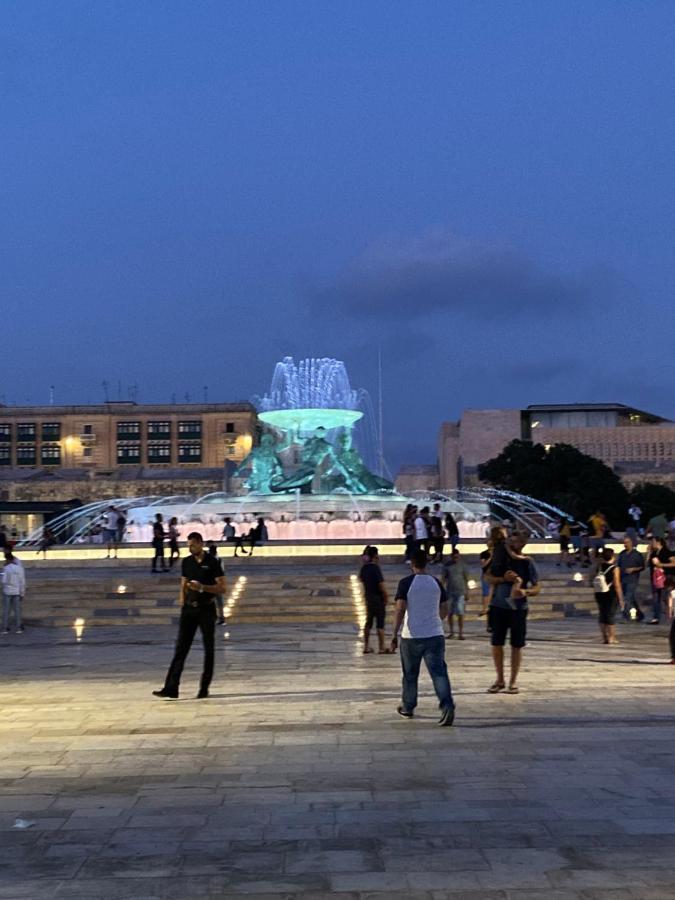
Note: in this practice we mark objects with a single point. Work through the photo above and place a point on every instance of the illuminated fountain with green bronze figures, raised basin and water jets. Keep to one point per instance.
(306, 477)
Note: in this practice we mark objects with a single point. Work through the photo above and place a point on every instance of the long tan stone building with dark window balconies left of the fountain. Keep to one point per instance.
(50, 455)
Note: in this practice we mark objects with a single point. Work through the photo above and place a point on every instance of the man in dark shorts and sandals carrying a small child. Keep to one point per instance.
(508, 609)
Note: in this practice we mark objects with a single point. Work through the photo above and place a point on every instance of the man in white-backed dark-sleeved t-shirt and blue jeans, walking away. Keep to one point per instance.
(421, 606)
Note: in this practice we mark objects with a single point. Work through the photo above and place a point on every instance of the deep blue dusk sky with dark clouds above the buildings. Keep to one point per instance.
(485, 190)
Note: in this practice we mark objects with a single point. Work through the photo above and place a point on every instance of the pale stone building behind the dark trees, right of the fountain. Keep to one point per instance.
(638, 445)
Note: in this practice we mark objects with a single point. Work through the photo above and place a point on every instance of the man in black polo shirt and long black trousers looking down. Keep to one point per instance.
(202, 580)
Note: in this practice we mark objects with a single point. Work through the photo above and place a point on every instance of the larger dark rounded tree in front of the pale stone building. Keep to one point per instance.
(561, 475)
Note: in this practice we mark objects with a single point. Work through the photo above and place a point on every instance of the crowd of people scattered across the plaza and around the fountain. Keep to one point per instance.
(428, 610)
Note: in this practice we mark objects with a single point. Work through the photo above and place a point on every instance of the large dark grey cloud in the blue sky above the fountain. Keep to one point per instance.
(439, 273)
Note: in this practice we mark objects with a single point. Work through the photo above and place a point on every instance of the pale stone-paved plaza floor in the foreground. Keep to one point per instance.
(297, 778)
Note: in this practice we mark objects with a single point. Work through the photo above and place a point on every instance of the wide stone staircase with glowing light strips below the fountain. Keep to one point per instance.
(307, 592)
